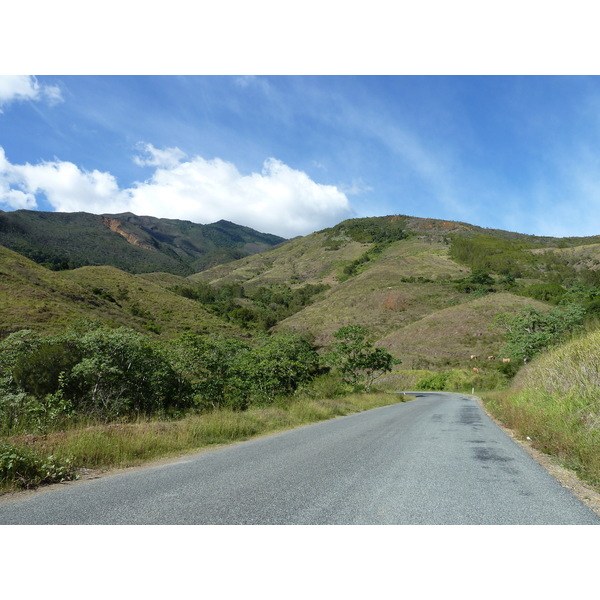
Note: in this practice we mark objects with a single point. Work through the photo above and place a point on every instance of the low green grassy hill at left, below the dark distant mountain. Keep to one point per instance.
(34, 297)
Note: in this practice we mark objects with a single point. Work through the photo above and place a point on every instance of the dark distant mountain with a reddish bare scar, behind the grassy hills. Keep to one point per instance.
(134, 244)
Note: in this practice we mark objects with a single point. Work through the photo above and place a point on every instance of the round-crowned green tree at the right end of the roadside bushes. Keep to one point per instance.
(356, 359)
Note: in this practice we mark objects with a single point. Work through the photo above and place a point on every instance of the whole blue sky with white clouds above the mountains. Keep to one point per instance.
(294, 154)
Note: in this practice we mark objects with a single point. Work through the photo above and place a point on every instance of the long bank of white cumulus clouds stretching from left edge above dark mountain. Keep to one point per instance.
(279, 199)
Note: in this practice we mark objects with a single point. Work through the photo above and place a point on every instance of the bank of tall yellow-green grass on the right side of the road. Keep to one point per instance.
(555, 400)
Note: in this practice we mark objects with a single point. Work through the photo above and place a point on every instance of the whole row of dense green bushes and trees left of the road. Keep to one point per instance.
(105, 374)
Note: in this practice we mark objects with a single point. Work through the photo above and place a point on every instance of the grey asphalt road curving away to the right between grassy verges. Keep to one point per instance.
(437, 460)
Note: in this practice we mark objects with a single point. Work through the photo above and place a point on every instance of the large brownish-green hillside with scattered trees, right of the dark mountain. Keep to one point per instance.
(406, 289)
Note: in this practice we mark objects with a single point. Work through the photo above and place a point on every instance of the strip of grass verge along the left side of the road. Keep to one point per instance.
(39, 459)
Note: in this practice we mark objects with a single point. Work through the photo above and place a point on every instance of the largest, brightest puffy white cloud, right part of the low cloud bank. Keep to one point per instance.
(278, 200)
